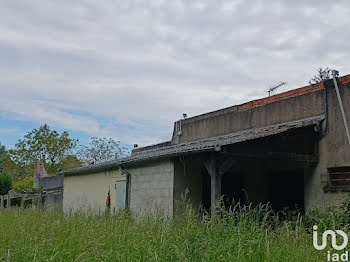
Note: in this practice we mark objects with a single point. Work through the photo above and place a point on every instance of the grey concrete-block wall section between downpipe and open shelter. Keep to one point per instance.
(151, 189)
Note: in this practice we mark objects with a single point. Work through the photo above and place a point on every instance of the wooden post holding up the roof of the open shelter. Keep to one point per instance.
(215, 182)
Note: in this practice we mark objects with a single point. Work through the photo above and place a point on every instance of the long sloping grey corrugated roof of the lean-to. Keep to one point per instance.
(208, 144)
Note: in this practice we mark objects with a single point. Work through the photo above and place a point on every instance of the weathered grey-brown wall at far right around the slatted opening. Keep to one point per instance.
(334, 151)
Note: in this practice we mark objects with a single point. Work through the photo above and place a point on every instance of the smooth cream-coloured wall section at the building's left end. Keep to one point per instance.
(89, 191)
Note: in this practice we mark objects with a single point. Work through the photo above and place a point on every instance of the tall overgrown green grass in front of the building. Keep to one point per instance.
(242, 234)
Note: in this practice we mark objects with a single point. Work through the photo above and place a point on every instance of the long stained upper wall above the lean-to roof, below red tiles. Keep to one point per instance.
(233, 119)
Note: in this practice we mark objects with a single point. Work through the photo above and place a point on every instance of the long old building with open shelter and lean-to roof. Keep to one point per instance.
(289, 149)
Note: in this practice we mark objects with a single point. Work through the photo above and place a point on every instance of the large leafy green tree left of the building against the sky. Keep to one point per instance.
(42, 143)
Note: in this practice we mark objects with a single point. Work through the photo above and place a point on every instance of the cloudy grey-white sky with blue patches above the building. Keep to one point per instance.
(129, 69)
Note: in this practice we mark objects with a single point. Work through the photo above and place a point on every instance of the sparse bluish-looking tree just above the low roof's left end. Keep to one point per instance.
(101, 149)
